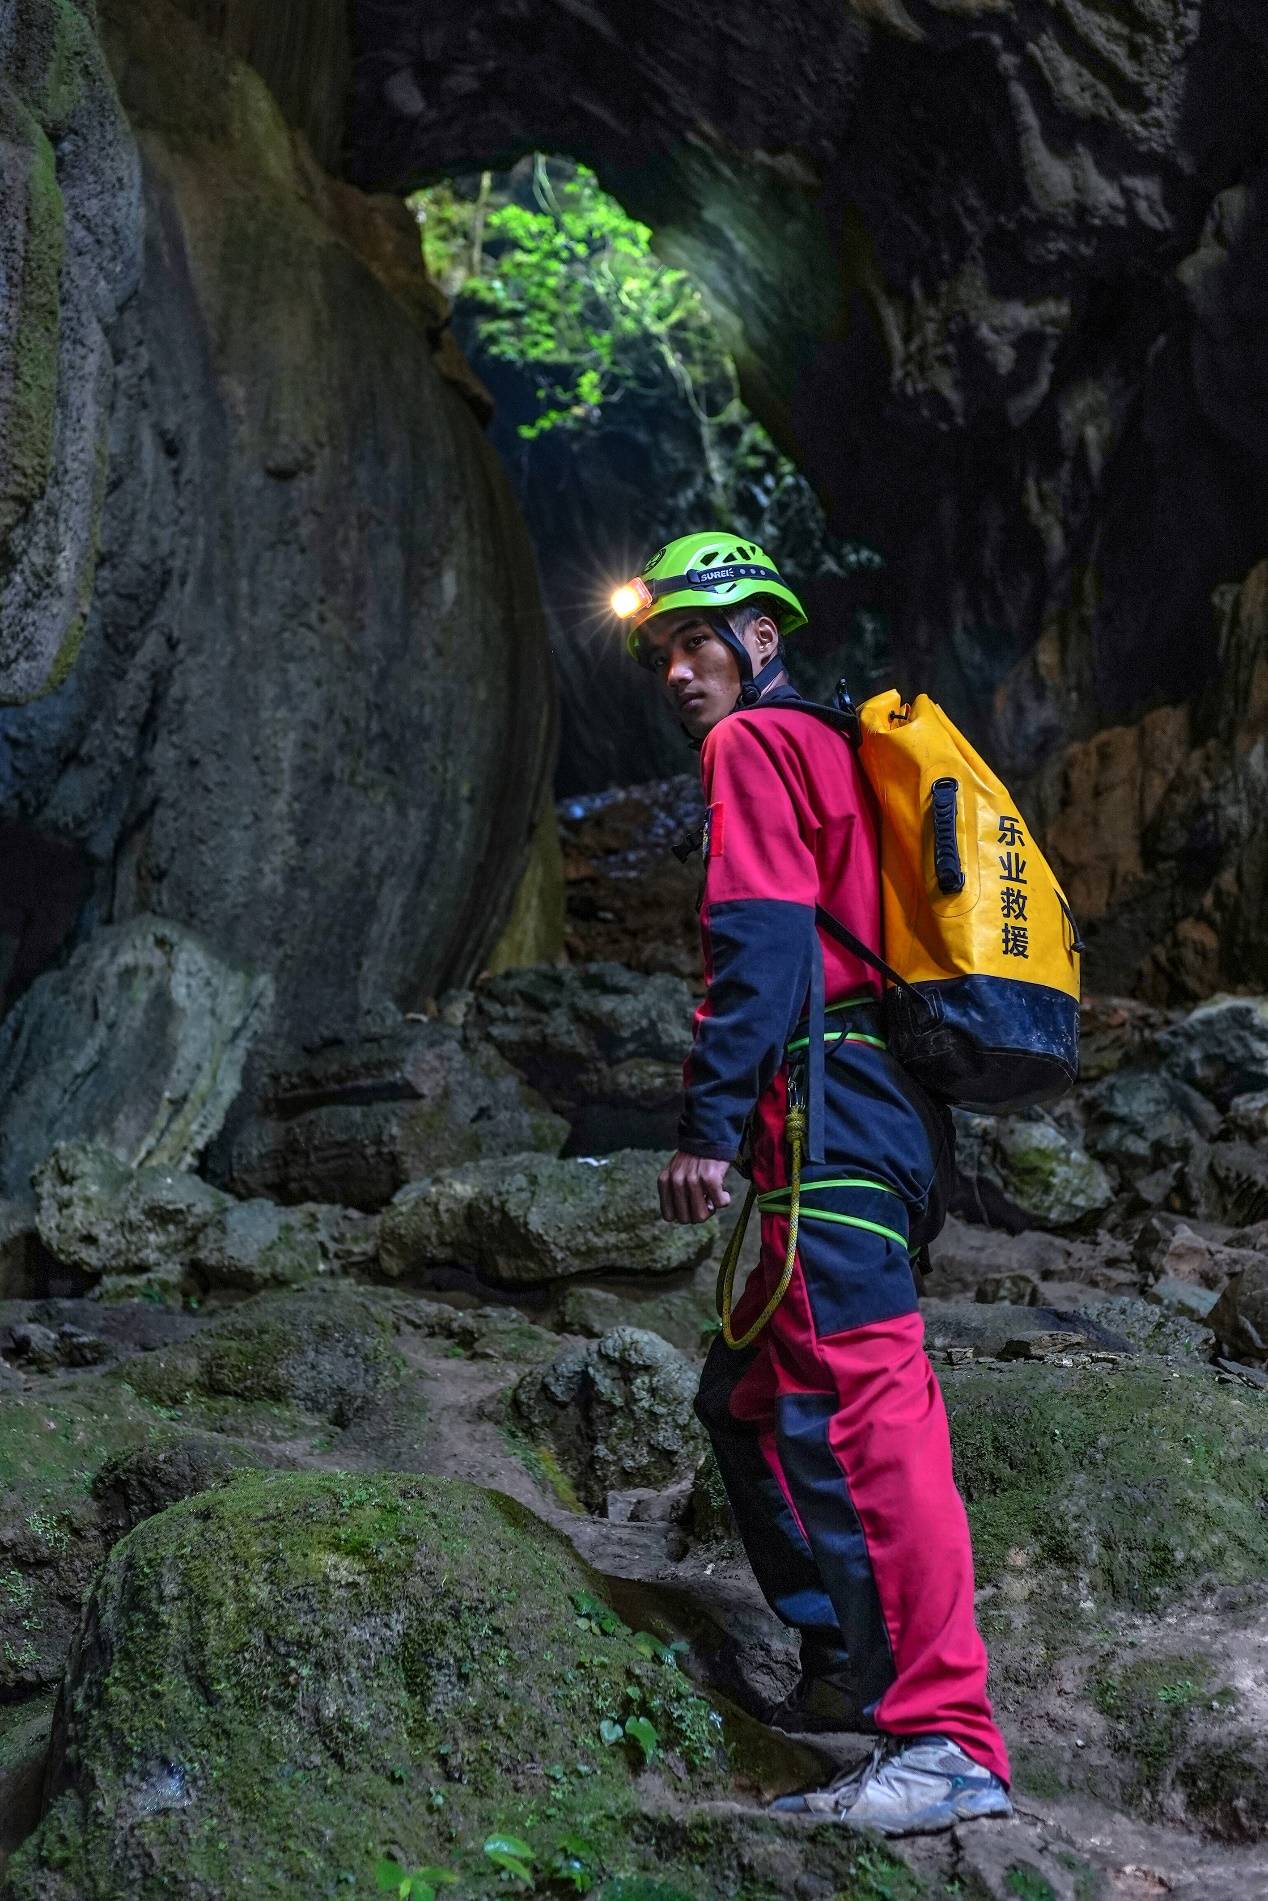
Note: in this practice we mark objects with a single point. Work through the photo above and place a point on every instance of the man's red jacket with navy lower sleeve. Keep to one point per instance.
(792, 824)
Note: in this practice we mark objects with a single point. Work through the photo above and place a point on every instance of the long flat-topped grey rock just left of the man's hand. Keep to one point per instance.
(533, 1219)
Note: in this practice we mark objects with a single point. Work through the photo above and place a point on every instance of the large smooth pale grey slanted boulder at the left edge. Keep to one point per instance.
(136, 1043)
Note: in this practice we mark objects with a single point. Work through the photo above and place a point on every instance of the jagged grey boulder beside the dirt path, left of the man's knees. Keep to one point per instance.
(617, 1413)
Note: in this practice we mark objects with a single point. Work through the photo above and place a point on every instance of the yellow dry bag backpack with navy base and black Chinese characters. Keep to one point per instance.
(982, 951)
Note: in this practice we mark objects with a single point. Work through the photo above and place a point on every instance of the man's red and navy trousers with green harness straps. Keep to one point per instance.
(832, 1431)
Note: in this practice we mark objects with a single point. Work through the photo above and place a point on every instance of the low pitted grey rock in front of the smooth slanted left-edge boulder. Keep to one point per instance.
(163, 1233)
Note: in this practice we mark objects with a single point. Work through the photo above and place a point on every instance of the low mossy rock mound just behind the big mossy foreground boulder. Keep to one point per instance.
(322, 1353)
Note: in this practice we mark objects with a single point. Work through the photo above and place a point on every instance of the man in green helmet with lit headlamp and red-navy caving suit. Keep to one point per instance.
(828, 1425)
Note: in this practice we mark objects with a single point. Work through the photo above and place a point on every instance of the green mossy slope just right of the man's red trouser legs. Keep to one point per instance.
(1124, 1488)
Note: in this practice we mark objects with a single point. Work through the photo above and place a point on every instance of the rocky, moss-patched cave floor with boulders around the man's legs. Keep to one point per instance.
(356, 1512)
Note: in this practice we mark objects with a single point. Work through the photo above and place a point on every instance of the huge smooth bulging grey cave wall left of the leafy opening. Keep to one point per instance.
(313, 712)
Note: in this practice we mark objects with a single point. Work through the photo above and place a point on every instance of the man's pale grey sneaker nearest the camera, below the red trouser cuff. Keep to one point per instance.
(908, 1788)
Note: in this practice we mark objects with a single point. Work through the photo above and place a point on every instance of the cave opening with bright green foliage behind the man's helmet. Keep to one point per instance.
(621, 421)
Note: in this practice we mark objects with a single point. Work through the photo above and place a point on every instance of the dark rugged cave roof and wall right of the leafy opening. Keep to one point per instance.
(993, 275)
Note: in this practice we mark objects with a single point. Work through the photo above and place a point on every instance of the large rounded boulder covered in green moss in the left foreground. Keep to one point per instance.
(282, 1681)
